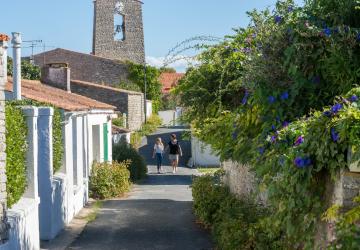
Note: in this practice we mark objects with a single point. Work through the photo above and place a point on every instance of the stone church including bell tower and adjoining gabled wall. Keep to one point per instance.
(118, 37)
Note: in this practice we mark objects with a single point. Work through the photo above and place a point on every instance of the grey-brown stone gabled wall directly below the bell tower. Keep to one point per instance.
(86, 67)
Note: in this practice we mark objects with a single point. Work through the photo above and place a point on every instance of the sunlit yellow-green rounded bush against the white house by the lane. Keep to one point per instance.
(109, 180)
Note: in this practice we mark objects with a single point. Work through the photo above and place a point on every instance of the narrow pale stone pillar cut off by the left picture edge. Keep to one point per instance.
(3, 195)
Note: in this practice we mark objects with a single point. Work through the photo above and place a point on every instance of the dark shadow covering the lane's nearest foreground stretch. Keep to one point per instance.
(144, 224)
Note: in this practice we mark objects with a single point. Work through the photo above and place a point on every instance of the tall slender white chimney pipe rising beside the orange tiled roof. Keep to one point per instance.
(16, 42)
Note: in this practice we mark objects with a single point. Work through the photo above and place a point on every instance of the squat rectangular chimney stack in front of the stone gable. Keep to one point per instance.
(56, 75)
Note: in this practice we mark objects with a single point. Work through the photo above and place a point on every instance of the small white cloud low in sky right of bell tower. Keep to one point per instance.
(180, 63)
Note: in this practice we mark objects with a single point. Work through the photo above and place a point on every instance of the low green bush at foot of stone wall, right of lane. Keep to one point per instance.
(235, 223)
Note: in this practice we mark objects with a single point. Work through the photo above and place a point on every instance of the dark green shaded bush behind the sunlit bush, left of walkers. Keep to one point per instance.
(123, 151)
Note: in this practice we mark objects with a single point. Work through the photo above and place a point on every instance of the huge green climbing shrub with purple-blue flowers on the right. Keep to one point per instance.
(258, 90)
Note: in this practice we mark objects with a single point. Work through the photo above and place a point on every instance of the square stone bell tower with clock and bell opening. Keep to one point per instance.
(118, 30)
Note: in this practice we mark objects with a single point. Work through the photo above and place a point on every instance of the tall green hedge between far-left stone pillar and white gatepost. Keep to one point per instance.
(16, 148)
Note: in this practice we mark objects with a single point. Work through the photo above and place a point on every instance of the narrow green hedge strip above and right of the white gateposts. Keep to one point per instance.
(58, 145)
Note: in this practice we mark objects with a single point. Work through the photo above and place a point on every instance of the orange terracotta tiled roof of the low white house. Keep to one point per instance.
(37, 91)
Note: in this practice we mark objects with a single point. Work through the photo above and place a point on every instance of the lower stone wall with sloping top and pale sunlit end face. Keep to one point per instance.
(129, 102)
